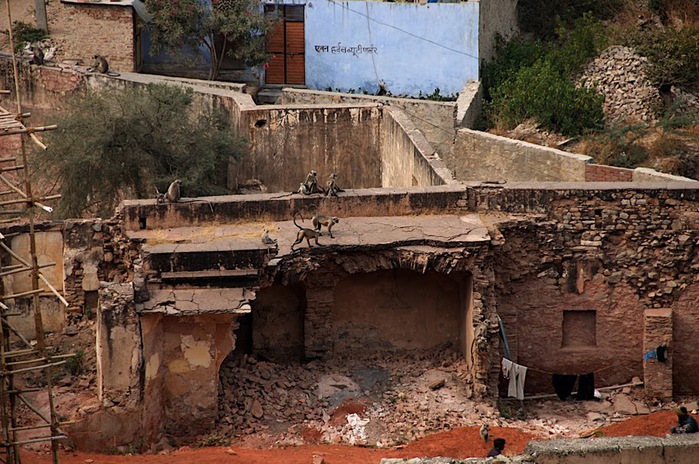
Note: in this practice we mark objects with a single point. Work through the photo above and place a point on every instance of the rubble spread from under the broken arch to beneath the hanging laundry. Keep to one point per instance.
(392, 401)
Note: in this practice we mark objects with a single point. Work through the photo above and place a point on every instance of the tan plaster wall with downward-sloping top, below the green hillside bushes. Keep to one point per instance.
(483, 156)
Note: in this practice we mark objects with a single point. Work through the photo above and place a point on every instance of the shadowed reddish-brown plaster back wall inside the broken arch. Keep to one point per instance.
(395, 310)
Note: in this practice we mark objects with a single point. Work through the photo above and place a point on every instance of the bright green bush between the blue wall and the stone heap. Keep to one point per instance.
(542, 92)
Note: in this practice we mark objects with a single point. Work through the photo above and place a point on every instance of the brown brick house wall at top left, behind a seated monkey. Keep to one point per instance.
(106, 29)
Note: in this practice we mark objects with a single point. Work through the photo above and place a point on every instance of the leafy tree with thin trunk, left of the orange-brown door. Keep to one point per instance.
(234, 28)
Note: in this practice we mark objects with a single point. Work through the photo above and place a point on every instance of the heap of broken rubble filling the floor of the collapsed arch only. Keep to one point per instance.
(405, 397)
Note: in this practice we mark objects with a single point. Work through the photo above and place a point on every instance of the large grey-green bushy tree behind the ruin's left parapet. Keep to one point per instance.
(125, 143)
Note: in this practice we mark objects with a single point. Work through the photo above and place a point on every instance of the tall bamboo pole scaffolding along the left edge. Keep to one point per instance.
(30, 359)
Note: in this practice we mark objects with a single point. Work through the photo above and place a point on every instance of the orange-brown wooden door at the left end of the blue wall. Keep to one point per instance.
(287, 46)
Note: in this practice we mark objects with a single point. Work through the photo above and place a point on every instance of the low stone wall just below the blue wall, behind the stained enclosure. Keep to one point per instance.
(434, 119)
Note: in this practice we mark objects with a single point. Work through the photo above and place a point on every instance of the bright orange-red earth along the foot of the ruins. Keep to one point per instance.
(461, 442)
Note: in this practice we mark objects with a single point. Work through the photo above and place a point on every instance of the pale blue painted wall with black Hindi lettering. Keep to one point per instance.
(412, 47)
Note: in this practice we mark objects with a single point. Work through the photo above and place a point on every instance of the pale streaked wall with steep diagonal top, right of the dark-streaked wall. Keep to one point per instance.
(406, 157)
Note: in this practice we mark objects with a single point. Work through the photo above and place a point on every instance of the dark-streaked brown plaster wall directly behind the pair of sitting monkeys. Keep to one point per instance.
(287, 142)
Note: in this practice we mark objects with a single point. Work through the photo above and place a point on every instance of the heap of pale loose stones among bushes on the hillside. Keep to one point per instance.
(619, 74)
